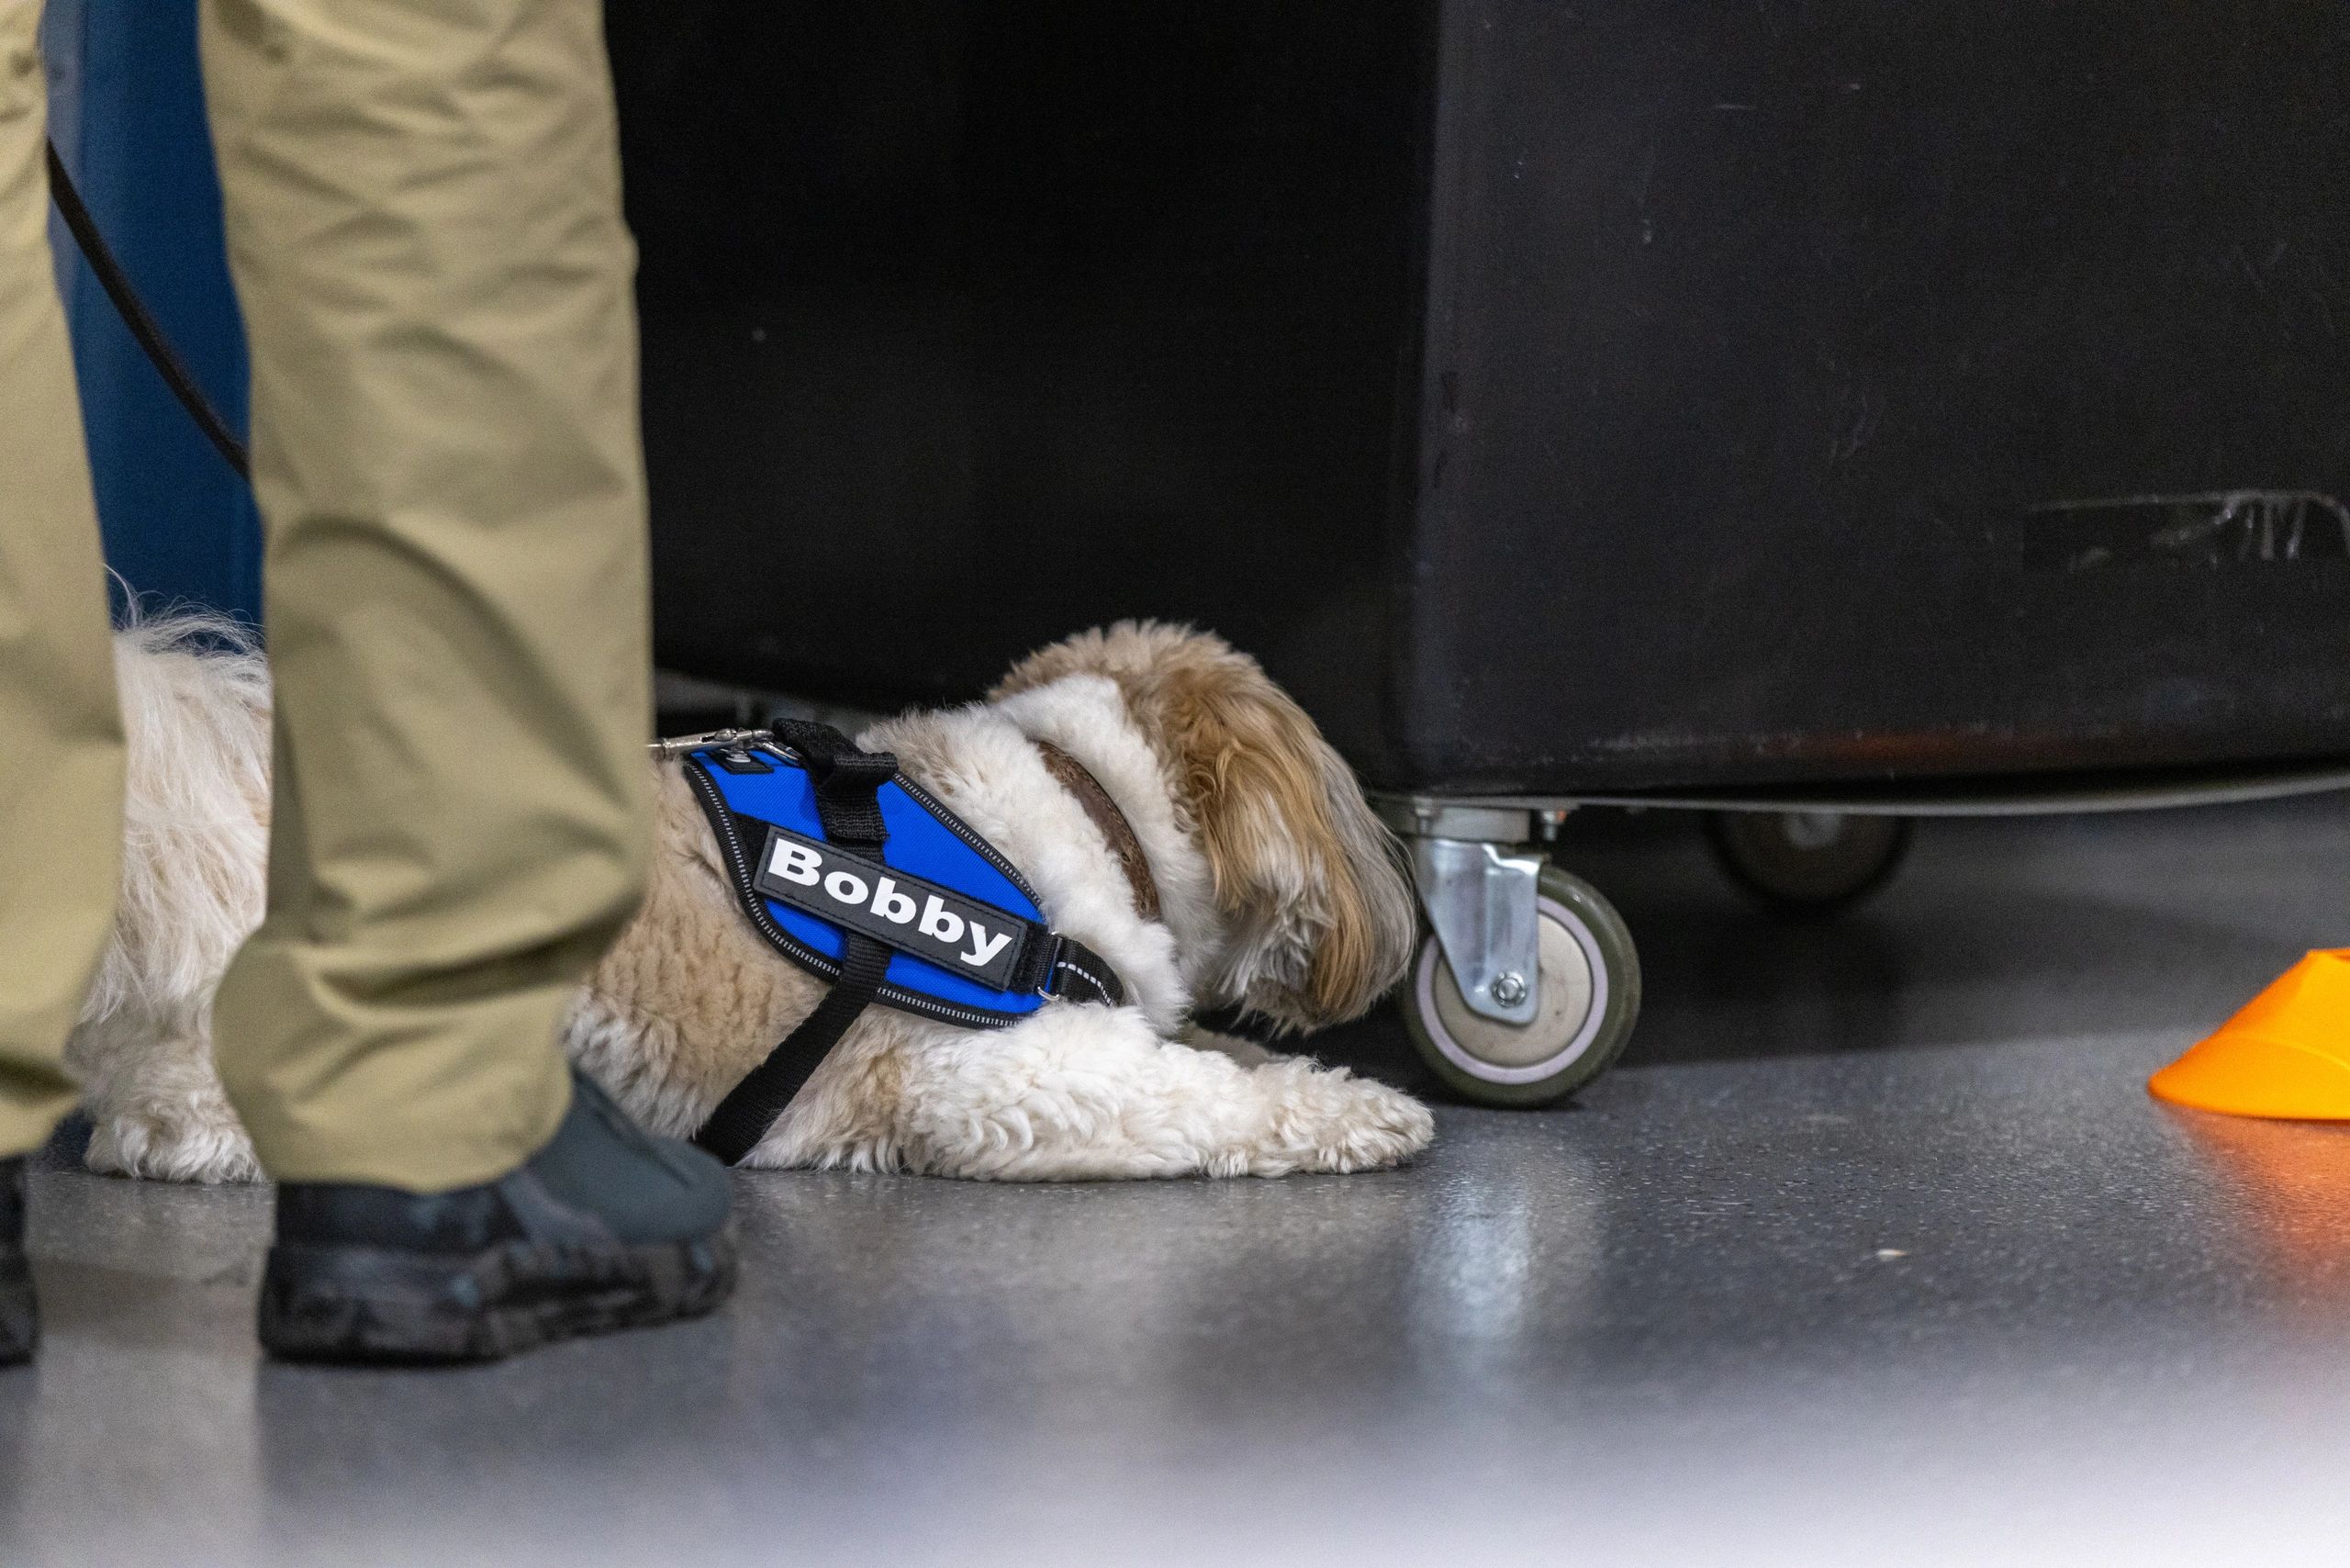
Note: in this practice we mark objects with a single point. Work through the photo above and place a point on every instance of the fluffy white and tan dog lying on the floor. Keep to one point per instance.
(1277, 890)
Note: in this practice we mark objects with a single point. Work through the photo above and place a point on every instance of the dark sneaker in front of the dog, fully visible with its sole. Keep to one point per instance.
(605, 1228)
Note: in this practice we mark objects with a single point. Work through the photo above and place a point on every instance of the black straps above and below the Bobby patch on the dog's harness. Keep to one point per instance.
(850, 808)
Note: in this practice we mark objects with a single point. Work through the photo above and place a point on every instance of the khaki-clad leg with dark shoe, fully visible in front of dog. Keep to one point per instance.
(424, 227)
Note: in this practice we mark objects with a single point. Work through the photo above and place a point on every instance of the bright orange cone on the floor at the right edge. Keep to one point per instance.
(2288, 1054)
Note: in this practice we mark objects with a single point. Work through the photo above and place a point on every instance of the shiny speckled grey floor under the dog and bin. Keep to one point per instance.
(1872, 1252)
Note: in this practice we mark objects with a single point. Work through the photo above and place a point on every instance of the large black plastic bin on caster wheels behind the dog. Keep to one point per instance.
(1813, 406)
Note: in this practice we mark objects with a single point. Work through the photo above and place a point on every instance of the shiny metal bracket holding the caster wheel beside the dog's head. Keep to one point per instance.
(1479, 902)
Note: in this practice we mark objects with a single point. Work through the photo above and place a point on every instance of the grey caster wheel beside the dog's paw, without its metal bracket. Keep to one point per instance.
(1590, 1003)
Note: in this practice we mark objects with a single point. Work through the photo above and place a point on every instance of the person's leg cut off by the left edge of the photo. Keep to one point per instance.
(60, 732)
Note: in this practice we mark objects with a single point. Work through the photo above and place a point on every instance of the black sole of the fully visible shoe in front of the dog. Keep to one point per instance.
(372, 1306)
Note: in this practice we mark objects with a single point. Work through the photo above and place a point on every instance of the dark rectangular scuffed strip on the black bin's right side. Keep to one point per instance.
(2201, 530)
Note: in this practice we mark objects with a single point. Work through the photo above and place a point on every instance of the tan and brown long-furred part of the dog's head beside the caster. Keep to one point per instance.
(1315, 911)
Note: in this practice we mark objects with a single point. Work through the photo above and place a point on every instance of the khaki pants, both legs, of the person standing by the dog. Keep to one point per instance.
(424, 225)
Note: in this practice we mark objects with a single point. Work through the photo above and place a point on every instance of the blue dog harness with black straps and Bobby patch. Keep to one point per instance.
(861, 878)
